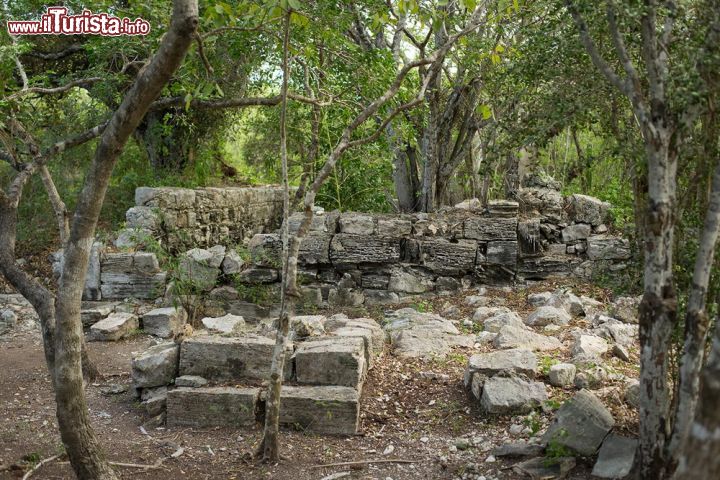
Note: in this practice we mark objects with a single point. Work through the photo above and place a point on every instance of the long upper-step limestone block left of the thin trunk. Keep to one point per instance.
(228, 358)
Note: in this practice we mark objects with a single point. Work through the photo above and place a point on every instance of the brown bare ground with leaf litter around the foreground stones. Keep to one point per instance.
(420, 417)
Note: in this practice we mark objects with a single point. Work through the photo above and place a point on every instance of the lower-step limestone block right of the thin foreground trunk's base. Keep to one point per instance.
(328, 410)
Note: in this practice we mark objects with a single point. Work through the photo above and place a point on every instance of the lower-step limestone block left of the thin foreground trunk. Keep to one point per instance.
(212, 407)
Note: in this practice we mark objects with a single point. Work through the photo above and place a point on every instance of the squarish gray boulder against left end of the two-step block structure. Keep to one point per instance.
(156, 366)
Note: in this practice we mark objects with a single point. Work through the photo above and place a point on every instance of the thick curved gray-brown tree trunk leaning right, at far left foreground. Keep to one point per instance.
(86, 456)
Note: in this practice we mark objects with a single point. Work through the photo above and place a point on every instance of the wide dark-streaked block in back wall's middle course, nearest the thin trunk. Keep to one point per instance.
(353, 249)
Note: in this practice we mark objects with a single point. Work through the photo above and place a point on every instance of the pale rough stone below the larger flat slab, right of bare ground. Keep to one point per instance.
(511, 395)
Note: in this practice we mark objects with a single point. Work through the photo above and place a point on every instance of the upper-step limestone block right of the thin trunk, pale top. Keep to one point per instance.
(331, 361)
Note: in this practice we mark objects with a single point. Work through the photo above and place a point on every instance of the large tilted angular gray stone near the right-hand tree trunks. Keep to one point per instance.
(580, 424)
